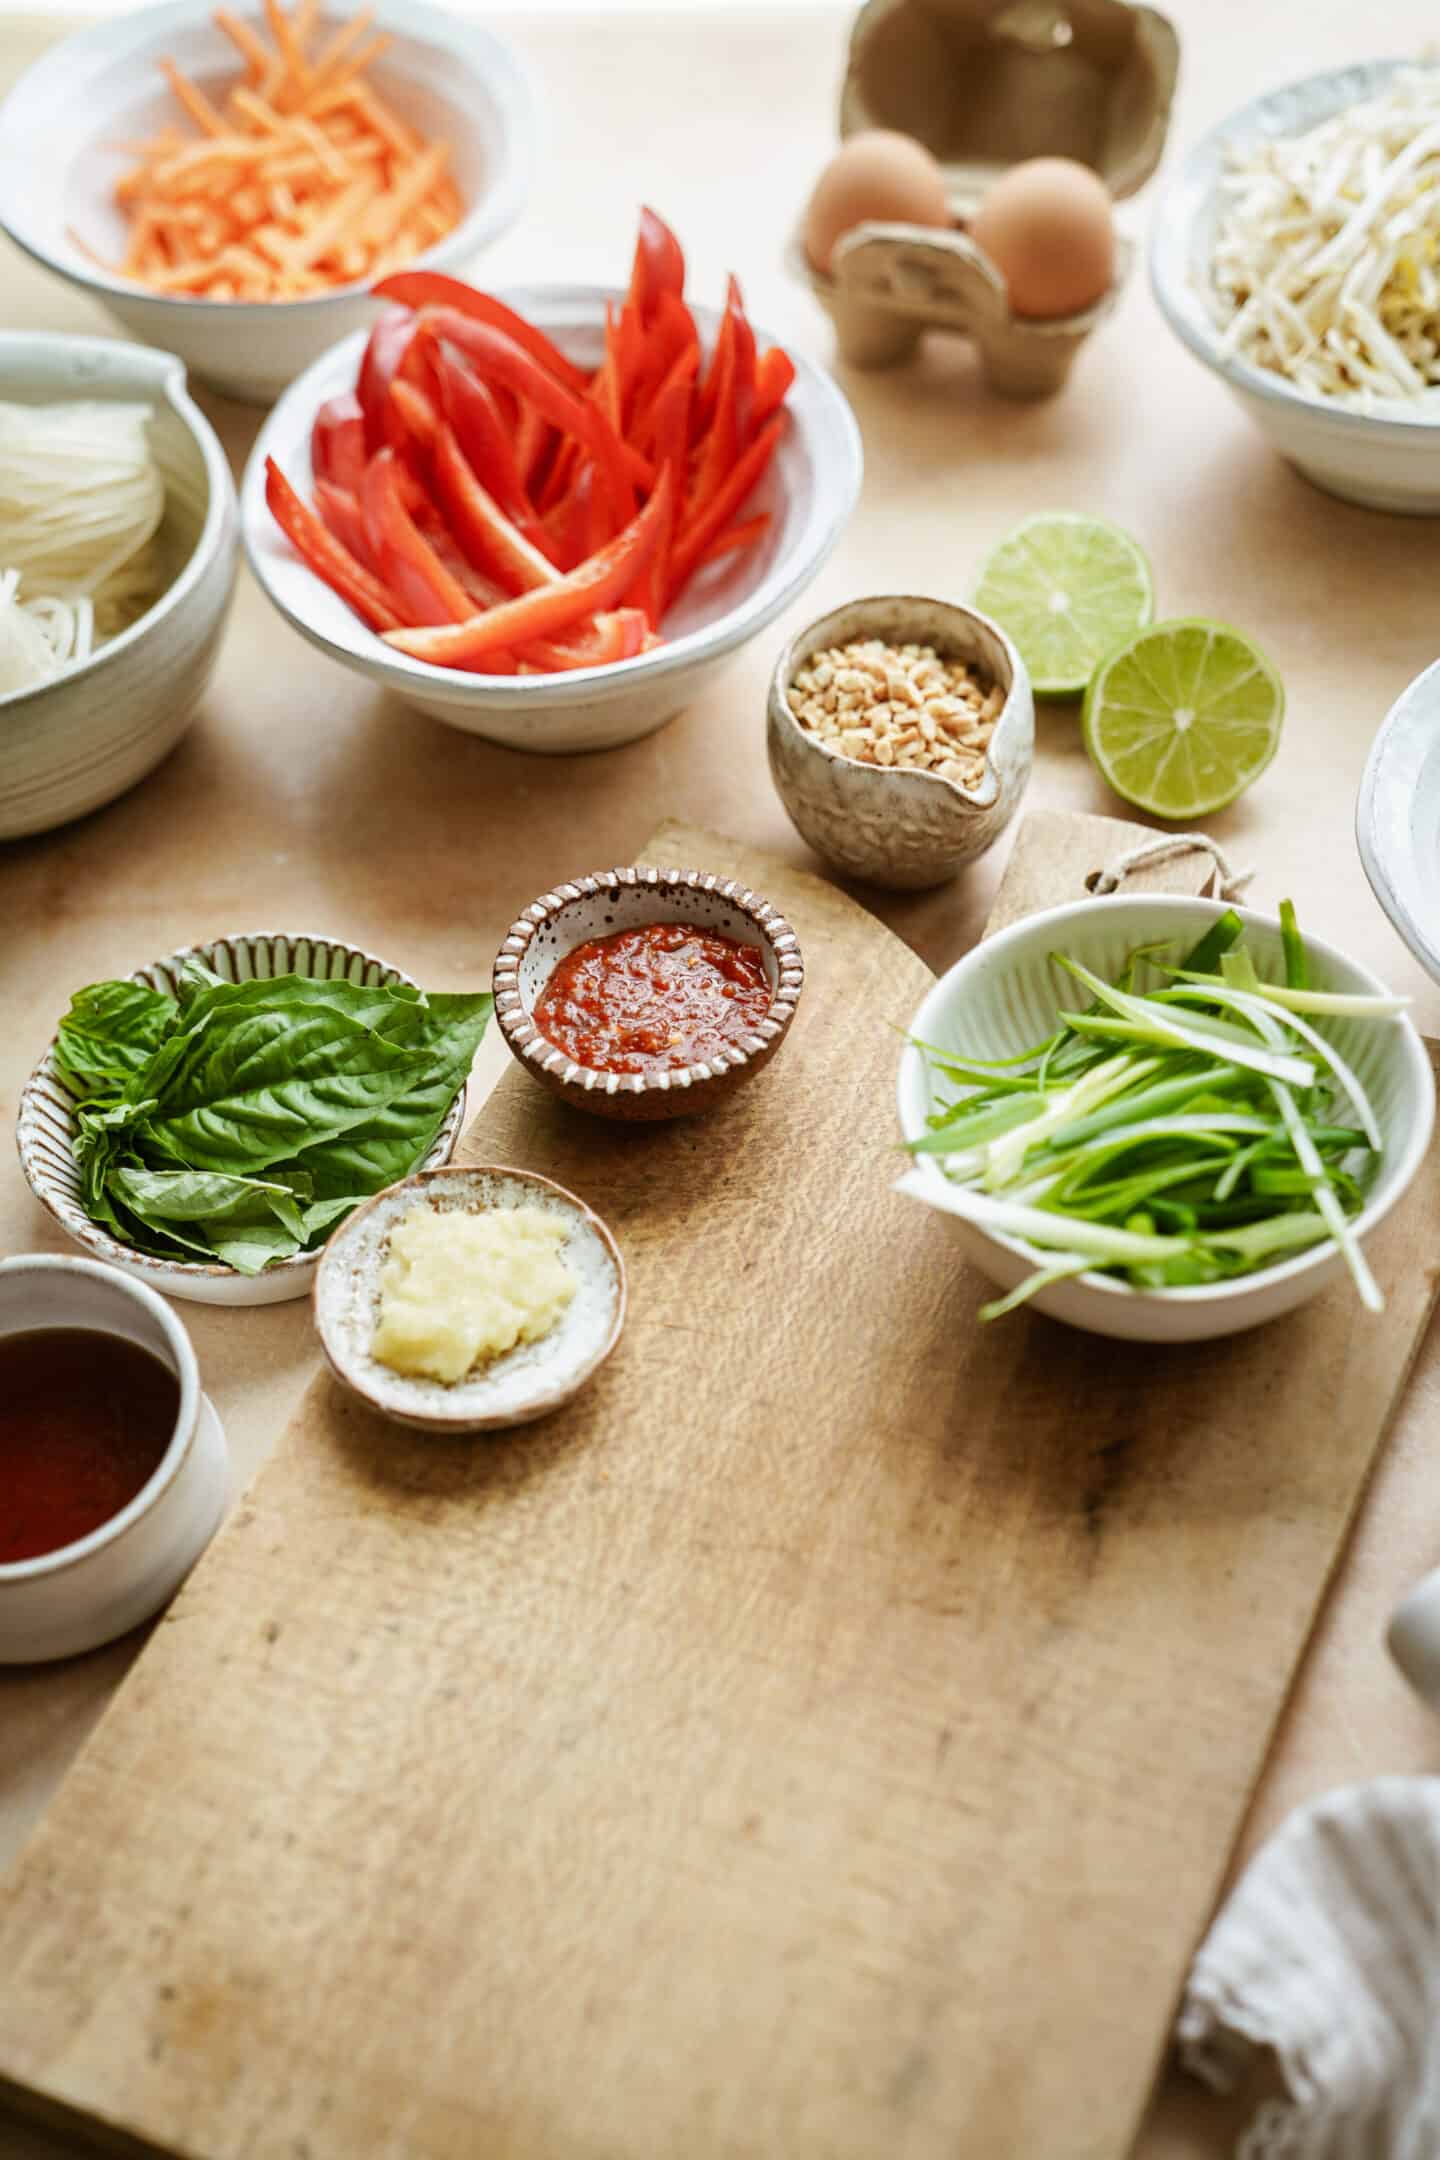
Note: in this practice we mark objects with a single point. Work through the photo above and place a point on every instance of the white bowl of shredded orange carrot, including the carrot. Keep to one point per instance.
(230, 185)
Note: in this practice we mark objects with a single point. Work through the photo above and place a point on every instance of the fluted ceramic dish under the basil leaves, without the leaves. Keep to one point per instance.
(46, 1129)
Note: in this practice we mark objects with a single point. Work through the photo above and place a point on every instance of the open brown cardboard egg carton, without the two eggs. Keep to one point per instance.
(986, 85)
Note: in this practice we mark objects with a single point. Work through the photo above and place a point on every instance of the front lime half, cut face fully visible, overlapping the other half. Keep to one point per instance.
(1182, 718)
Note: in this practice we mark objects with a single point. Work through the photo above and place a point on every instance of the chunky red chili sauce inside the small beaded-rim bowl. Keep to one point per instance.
(653, 999)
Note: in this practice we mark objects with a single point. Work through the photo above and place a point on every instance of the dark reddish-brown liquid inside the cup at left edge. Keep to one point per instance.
(85, 1422)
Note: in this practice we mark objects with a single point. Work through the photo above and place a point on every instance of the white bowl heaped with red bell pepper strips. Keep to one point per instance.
(549, 519)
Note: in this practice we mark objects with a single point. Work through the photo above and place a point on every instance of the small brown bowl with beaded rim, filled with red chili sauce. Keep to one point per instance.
(647, 995)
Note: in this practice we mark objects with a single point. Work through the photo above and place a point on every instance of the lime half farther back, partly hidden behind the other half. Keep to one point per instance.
(1068, 591)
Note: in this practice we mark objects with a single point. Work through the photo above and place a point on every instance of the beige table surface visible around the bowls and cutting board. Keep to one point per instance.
(305, 800)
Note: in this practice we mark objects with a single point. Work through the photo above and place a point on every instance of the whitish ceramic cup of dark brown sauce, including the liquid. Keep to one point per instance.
(113, 1468)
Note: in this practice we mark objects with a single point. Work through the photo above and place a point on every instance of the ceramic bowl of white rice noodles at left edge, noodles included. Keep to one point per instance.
(118, 565)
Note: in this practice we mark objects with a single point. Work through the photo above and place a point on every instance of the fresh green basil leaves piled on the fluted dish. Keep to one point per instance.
(241, 1122)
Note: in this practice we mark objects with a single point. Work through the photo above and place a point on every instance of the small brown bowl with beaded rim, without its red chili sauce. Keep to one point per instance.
(619, 902)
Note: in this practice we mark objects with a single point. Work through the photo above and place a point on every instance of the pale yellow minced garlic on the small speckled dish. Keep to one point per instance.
(461, 1288)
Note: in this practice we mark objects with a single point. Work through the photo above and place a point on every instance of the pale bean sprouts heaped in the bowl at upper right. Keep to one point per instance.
(1327, 256)
